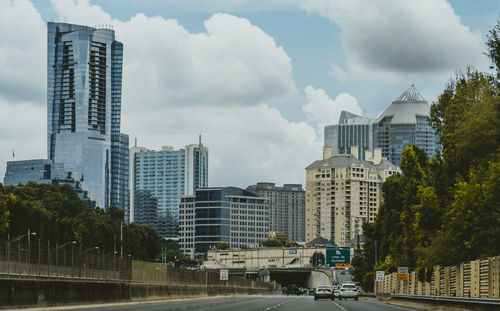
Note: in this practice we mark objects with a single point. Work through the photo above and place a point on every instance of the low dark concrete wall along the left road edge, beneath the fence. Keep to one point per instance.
(25, 293)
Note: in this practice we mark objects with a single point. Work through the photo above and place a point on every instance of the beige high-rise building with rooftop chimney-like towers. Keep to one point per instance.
(342, 192)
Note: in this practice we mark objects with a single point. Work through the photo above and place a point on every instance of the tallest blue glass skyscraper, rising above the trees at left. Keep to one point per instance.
(84, 85)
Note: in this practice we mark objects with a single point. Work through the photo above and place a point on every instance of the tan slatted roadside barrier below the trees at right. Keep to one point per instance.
(475, 279)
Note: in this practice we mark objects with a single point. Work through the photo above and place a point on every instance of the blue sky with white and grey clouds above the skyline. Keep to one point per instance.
(258, 79)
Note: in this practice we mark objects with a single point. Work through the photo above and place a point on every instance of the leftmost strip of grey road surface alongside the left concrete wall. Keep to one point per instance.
(271, 302)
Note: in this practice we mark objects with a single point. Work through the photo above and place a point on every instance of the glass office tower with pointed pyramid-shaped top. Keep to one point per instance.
(406, 122)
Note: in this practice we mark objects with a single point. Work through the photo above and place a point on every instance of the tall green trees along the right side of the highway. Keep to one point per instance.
(445, 210)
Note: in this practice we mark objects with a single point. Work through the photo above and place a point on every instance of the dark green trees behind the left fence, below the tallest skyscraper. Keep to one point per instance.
(57, 214)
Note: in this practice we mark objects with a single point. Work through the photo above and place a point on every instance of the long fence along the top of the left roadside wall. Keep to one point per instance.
(27, 257)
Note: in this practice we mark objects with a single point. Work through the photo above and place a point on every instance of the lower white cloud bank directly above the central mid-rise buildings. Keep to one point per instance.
(246, 144)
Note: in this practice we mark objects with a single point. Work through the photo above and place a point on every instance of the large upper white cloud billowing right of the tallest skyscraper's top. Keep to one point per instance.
(232, 63)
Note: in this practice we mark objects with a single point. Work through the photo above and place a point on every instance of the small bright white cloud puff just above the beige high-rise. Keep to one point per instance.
(323, 110)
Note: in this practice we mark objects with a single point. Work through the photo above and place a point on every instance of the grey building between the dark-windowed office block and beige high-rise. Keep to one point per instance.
(287, 208)
